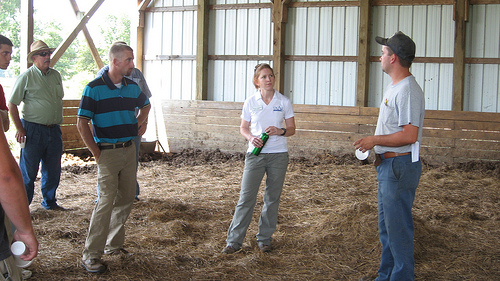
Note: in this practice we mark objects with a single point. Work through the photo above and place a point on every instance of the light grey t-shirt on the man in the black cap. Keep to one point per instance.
(403, 104)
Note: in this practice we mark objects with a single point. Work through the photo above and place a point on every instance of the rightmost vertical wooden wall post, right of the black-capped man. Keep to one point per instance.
(460, 16)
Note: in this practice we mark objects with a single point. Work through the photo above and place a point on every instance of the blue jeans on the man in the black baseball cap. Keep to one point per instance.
(398, 179)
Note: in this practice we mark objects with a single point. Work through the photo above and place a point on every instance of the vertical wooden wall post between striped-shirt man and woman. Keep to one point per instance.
(202, 50)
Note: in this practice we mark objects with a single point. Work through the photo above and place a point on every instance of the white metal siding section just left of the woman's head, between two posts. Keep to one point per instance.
(236, 32)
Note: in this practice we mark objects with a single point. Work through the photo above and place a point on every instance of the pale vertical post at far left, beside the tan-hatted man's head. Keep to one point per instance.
(27, 24)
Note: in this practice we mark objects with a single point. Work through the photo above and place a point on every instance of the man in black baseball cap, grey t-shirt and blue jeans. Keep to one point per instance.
(397, 144)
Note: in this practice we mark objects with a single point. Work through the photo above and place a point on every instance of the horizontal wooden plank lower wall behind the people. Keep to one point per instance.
(449, 137)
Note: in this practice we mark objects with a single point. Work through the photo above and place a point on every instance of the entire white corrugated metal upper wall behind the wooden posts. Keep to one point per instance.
(170, 50)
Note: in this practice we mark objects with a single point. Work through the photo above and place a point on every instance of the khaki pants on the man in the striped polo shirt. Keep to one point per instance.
(117, 181)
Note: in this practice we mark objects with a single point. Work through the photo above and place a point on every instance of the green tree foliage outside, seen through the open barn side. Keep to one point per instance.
(76, 65)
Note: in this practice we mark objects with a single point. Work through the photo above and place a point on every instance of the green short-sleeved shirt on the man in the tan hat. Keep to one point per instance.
(41, 94)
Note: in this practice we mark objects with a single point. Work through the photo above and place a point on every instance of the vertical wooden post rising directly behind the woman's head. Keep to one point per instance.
(280, 17)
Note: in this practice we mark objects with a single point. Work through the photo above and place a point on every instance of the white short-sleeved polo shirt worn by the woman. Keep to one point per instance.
(262, 115)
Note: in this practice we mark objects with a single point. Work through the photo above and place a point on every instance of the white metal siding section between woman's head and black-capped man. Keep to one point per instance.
(327, 31)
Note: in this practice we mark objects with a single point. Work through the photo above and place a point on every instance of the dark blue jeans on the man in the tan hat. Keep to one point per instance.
(43, 144)
